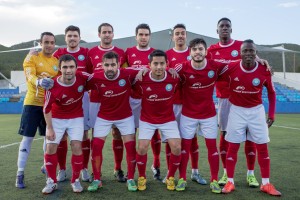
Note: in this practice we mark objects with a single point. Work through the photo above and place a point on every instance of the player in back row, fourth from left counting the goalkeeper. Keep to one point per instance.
(138, 57)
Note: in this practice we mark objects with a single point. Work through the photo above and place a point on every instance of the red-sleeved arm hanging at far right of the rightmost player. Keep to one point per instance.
(272, 100)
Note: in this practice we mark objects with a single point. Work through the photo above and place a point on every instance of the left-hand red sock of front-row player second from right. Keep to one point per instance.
(185, 151)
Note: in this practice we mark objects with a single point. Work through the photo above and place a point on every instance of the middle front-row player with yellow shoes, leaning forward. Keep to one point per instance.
(157, 89)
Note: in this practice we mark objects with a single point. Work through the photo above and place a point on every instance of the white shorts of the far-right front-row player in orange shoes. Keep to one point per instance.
(240, 119)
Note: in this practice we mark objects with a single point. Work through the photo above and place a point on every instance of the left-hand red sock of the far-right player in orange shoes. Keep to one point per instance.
(231, 158)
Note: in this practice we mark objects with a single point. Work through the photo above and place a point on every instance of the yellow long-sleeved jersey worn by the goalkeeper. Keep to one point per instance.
(37, 67)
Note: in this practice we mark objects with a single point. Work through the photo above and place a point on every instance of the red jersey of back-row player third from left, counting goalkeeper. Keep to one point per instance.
(95, 54)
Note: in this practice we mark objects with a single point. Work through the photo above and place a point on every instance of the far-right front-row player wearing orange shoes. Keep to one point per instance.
(247, 79)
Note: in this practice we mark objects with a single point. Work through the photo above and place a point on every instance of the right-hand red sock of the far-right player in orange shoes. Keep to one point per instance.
(263, 160)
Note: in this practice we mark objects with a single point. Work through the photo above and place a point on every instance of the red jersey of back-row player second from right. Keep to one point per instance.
(175, 60)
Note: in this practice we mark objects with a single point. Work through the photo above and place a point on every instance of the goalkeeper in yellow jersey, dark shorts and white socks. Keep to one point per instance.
(39, 69)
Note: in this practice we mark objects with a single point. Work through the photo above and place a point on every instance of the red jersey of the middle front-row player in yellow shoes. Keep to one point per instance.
(157, 98)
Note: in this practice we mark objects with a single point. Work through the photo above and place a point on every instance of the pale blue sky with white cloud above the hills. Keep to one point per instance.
(264, 21)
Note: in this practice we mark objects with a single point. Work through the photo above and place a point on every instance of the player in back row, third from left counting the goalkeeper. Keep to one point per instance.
(106, 34)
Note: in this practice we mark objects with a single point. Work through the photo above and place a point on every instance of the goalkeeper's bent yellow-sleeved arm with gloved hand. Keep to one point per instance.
(30, 74)
